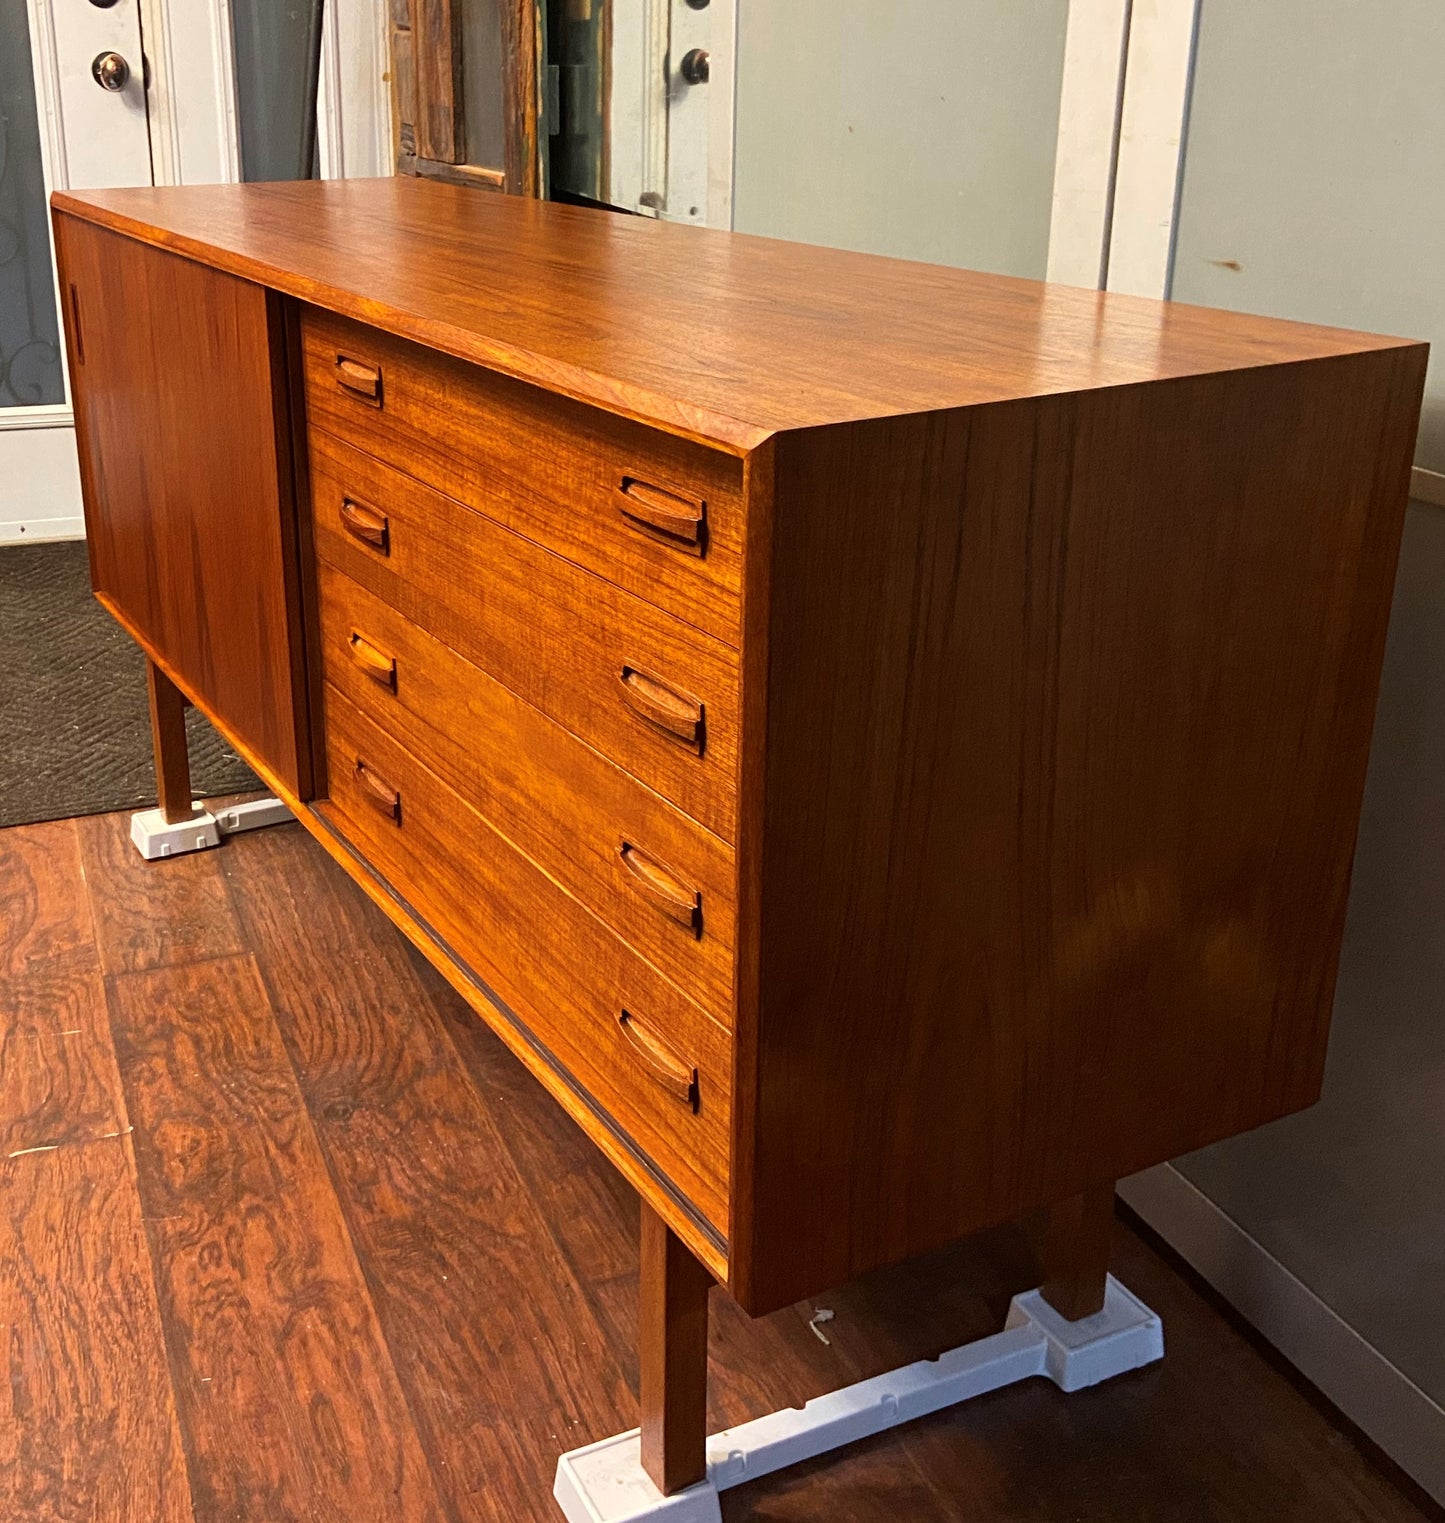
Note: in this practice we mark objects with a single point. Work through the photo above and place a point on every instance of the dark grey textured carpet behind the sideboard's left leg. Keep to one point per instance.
(75, 729)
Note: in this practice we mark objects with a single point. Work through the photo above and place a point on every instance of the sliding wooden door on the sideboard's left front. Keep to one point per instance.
(187, 477)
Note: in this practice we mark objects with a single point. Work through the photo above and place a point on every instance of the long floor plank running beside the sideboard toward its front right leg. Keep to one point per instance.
(493, 1336)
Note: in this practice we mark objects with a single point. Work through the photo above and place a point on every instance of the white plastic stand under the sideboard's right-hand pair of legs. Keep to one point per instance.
(607, 1484)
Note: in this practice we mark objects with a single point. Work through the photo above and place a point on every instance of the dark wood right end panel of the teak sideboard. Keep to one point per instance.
(1067, 738)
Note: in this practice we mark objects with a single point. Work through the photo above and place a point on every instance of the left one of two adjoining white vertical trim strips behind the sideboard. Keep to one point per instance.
(1089, 104)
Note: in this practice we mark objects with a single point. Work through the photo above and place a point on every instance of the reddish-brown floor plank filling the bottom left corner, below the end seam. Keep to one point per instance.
(88, 1423)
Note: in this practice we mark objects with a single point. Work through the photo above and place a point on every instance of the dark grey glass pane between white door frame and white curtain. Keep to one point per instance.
(273, 88)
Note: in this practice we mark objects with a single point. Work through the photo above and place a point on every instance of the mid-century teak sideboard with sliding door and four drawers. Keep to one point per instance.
(882, 744)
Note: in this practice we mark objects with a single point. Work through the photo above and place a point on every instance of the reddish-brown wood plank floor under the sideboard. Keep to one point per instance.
(289, 1236)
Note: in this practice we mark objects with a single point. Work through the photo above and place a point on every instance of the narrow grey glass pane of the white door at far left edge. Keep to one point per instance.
(30, 334)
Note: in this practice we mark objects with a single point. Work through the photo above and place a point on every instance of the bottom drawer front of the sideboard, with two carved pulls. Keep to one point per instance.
(663, 1074)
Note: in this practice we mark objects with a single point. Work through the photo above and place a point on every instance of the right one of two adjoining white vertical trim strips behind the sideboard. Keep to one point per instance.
(1153, 120)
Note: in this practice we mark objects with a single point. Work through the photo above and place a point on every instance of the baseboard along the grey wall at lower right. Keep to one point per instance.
(1377, 1397)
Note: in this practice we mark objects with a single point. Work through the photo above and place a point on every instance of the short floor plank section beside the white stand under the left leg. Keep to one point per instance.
(153, 915)
